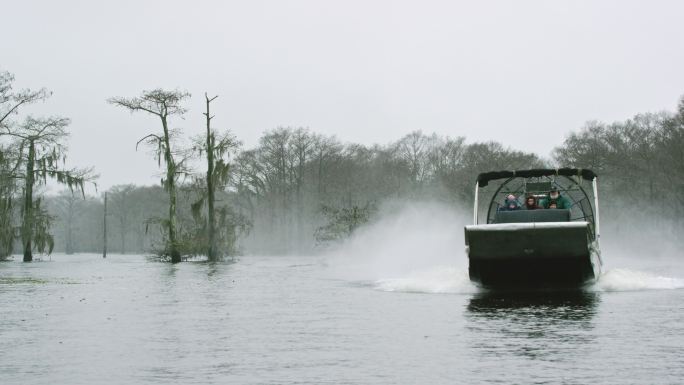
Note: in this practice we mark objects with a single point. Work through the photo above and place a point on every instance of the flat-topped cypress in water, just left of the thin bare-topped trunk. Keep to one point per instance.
(162, 104)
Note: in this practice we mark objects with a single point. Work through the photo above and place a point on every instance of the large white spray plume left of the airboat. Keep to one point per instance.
(415, 247)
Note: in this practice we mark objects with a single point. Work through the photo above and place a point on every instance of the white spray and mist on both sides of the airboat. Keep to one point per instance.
(419, 247)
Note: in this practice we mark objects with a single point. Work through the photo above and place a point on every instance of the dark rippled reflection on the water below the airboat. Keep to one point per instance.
(550, 326)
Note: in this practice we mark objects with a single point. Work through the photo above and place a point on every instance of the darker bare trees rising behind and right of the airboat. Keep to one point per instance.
(640, 163)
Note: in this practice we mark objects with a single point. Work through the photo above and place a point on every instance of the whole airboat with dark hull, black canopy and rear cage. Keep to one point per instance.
(539, 248)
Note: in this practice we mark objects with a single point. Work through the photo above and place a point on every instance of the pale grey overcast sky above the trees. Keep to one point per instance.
(525, 73)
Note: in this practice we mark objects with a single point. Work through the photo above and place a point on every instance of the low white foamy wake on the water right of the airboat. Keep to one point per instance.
(634, 280)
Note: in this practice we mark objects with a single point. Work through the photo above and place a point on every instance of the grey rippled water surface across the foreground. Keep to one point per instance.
(285, 320)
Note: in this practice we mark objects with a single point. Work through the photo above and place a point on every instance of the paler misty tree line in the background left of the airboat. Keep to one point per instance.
(295, 190)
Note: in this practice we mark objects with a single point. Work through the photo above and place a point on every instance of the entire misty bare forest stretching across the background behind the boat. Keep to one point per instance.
(298, 189)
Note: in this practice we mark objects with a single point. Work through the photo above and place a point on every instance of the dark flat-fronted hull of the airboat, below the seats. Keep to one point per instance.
(532, 255)
